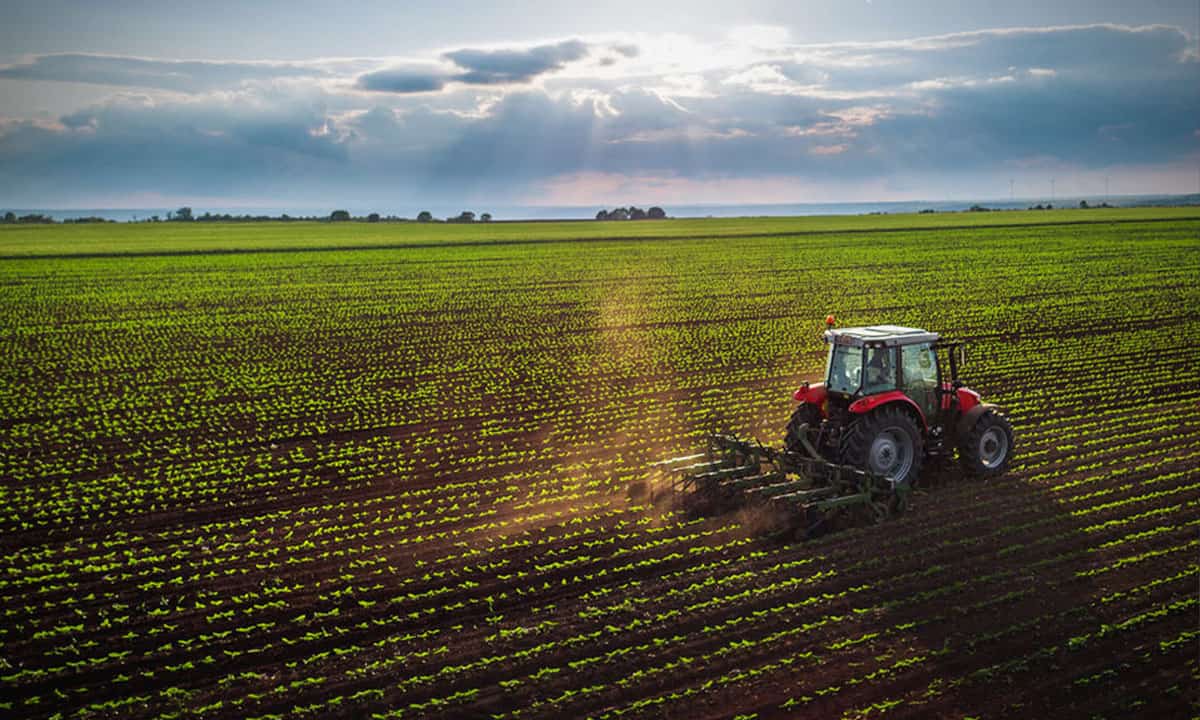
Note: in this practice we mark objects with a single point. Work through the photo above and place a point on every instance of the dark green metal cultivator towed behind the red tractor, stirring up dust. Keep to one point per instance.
(807, 494)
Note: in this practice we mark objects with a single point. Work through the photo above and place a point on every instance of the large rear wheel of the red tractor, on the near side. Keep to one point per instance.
(887, 442)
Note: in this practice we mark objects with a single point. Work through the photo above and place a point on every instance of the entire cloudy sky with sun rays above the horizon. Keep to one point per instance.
(313, 105)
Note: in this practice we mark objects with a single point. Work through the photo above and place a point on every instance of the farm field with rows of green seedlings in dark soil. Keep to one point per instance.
(381, 471)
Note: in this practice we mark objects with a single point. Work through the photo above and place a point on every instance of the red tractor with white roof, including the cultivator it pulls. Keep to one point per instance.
(856, 443)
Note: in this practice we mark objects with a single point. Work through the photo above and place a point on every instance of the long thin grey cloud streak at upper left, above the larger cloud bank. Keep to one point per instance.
(181, 76)
